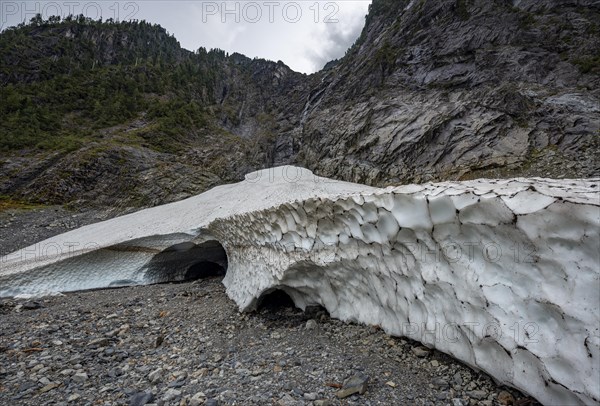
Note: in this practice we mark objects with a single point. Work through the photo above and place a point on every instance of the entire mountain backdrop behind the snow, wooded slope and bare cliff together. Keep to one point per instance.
(432, 90)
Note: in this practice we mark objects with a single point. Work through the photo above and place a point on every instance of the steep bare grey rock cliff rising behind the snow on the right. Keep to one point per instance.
(454, 89)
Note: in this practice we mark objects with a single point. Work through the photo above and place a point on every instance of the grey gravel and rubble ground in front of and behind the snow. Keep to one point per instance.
(187, 344)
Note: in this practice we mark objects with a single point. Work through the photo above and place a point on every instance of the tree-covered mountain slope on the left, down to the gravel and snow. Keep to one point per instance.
(119, 114)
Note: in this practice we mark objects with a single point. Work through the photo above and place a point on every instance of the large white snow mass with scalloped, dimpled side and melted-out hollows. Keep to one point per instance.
(501, 274)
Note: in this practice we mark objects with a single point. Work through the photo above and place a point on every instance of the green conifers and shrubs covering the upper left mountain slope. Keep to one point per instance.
(61, 81)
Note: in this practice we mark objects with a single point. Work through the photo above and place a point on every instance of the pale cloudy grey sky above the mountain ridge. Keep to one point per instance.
(304, 34)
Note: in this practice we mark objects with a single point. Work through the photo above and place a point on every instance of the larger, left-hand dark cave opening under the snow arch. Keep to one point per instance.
(187, 262)
